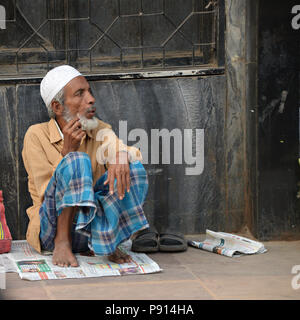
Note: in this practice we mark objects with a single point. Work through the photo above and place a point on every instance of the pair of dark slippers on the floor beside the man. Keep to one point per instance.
(149, 240)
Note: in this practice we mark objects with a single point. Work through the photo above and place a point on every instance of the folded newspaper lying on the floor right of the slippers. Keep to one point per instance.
(227, 244)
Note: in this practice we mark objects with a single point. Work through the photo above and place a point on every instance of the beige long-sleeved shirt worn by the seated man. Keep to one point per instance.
(41, 154)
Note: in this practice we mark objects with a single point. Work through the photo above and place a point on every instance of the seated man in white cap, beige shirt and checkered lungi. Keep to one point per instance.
(77, 204)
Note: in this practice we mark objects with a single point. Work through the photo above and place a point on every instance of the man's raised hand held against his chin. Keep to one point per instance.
(72, 136)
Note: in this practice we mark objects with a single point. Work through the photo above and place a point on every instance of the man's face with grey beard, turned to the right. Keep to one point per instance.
(79, 102)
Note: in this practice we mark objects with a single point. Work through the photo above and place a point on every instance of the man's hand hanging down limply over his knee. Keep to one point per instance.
(121, 171)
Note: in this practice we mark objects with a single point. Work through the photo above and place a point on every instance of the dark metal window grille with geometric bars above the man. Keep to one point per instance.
(99, 36)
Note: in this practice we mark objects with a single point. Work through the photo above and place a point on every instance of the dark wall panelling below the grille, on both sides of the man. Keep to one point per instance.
(189, 203)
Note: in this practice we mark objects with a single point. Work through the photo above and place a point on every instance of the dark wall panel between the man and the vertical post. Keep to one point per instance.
(189, 203)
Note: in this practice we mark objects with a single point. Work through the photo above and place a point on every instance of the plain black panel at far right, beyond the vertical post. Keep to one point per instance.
(278, 207)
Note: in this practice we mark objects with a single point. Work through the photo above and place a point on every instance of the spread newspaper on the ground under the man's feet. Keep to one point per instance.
(31, 265)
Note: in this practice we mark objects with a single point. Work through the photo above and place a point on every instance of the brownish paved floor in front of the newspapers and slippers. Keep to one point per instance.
(190, 275)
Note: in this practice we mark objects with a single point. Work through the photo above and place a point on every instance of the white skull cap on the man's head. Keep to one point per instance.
(55, 80)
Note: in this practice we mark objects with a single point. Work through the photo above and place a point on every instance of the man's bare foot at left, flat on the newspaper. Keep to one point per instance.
(63, 256)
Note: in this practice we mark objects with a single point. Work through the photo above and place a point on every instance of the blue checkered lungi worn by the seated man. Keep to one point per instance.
(102, 221)
